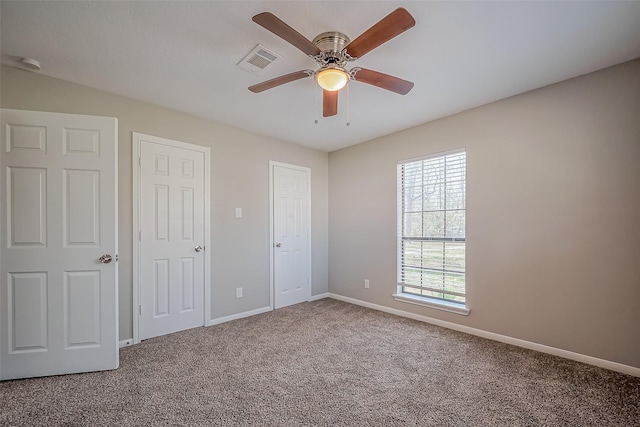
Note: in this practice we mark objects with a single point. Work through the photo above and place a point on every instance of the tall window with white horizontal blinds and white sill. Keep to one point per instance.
(431, 230)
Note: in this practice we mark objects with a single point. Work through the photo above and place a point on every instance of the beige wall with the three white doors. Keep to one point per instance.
(239, 178)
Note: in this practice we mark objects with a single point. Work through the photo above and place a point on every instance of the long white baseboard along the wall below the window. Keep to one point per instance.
(613, 366)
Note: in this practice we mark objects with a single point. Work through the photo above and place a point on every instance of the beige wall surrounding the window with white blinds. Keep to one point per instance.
(553, 214)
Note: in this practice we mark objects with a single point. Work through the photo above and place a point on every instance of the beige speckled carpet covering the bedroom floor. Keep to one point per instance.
(327, 363)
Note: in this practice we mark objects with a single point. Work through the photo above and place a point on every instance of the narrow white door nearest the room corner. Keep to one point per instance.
(290, 224)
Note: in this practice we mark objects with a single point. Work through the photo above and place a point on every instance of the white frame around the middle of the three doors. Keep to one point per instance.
(136, 139)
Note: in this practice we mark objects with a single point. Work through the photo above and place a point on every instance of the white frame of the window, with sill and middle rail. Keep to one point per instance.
(407, 297)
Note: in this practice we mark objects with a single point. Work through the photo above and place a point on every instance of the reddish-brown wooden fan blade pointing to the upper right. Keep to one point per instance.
(395, 23)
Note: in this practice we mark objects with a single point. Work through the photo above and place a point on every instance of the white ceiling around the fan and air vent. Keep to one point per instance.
(183, 55)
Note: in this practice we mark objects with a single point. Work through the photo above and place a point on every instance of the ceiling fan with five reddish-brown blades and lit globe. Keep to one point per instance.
(332, 50)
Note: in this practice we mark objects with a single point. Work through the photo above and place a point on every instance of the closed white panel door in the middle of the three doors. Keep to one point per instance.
(172, 235)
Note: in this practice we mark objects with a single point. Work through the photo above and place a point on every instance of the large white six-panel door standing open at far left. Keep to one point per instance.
(58, 301)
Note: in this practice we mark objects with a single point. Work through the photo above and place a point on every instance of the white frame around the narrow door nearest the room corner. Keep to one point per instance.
(307, 170)
